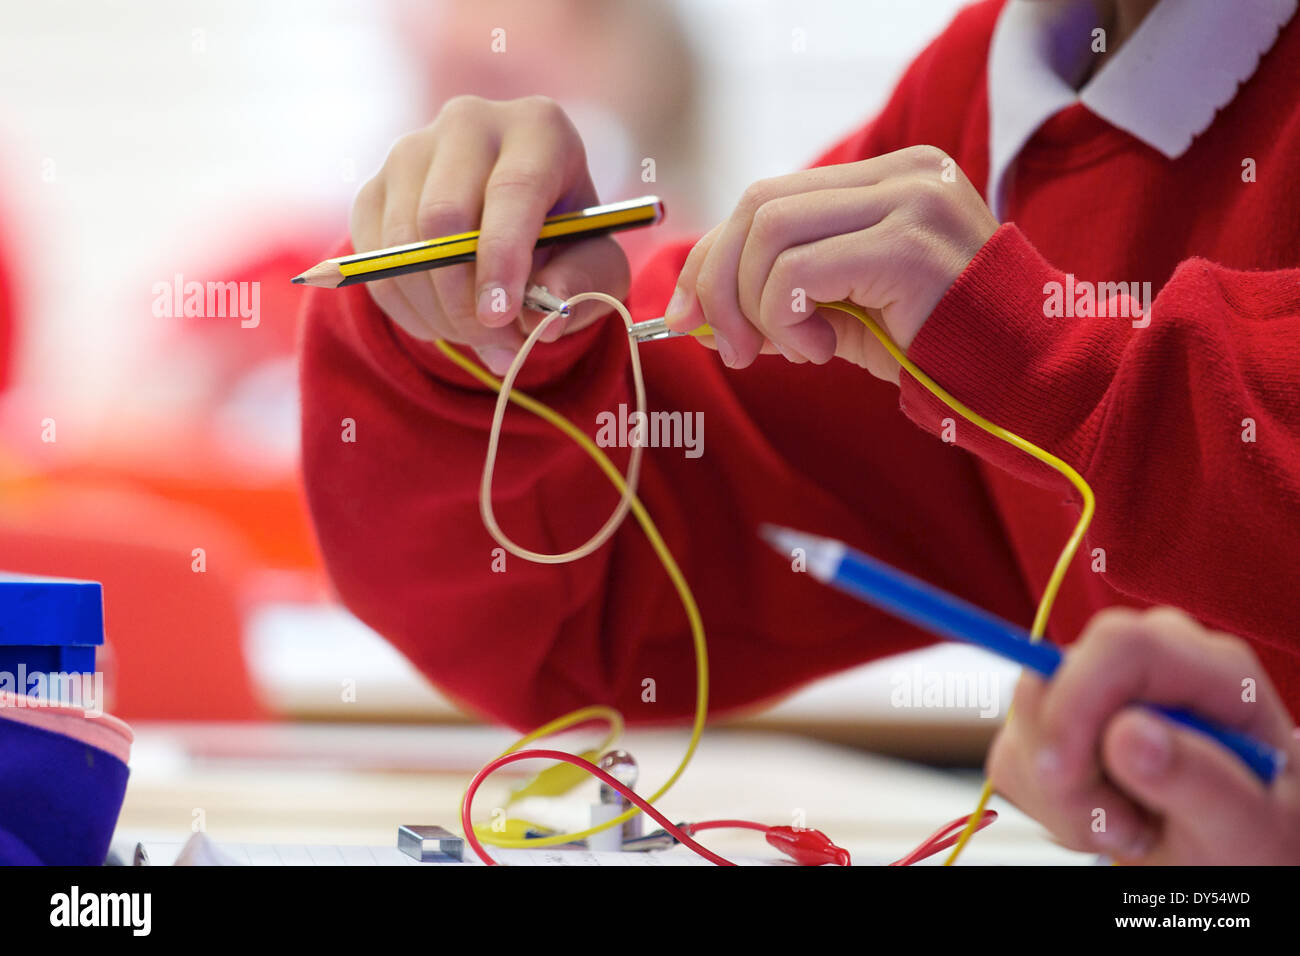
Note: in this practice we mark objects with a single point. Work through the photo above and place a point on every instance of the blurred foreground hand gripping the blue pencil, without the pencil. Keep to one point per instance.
(1080, 756)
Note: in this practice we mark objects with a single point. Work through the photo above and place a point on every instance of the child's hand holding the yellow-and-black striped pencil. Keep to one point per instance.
(505, 166)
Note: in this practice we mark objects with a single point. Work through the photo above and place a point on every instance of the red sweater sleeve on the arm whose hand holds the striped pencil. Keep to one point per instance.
(397, 518)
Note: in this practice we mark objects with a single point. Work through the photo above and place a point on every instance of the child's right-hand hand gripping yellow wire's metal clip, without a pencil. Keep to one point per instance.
(890, 233)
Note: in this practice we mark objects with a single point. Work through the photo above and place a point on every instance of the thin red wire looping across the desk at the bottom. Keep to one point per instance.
(942, 840)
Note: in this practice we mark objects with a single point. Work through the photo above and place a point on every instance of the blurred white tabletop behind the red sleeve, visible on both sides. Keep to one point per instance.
(297, 652)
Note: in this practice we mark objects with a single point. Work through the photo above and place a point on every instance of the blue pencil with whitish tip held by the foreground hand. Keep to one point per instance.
(947, 616)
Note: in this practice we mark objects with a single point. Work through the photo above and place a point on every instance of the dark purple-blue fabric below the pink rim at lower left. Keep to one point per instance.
(59, 798)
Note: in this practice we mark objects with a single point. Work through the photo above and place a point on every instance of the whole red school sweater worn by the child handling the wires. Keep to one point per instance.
(1188, 512)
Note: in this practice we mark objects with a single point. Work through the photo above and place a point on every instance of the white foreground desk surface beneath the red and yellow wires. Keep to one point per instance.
(339, 785)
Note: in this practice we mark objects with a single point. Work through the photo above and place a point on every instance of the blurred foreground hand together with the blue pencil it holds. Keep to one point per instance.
(1152, 741)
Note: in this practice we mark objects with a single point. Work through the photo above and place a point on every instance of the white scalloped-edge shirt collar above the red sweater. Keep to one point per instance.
(1167, 83)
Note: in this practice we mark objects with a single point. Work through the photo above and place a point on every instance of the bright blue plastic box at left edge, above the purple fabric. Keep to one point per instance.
(50, 625)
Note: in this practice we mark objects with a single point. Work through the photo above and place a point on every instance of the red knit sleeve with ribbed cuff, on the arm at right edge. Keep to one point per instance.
(1186, 421)
